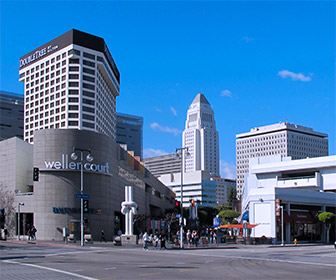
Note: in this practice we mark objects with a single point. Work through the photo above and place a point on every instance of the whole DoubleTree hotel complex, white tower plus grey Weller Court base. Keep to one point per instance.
(71, 85)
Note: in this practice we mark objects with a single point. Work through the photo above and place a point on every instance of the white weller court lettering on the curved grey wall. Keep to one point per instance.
(67, 164)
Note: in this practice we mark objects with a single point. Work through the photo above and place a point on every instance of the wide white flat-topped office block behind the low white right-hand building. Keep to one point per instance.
(284, 139)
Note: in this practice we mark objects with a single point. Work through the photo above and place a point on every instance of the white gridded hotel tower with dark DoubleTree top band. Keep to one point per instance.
(70, 82)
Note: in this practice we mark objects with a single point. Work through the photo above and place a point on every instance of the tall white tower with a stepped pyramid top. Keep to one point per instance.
(201, 137)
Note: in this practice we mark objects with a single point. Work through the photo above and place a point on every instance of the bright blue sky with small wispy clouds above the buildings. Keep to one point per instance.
(257, 62)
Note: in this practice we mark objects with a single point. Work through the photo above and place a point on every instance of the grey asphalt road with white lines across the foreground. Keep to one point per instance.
(32, 261)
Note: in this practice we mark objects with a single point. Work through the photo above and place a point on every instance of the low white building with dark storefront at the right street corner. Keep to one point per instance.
(304, 188)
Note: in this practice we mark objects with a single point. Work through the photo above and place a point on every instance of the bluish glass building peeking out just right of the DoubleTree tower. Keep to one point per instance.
(129, 132)
